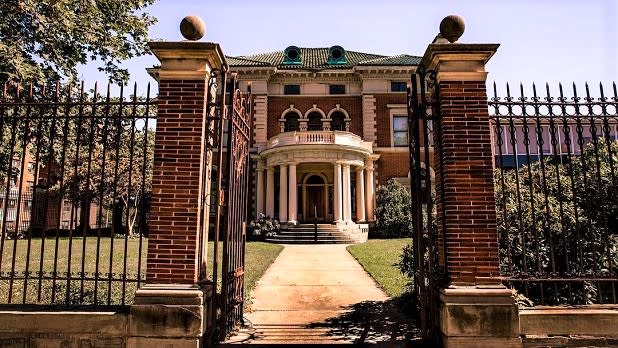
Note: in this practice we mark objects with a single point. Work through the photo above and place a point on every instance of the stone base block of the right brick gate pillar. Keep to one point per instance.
(478, 317)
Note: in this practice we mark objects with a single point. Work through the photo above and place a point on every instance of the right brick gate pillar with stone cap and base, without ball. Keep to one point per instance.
(475, 309)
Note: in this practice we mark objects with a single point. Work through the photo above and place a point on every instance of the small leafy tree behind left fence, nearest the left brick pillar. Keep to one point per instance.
(108, 161)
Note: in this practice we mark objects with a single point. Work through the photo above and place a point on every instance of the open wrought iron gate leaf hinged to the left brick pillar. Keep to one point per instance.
(231, 112)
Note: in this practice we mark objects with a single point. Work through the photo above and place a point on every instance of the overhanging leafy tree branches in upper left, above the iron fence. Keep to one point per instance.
(48, 39)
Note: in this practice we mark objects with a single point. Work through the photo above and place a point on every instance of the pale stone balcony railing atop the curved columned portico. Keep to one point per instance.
(318, 137)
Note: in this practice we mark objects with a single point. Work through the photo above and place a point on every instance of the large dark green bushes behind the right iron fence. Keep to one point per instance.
(558, 218)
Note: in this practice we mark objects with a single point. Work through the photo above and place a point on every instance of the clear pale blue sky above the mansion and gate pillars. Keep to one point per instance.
(542, 40)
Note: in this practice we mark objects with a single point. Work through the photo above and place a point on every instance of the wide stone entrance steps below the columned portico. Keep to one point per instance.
(305, 234)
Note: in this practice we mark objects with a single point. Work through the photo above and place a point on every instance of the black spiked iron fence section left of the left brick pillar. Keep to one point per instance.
(76, 172)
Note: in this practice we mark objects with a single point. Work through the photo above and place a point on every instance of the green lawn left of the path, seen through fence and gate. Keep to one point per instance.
(258, 258)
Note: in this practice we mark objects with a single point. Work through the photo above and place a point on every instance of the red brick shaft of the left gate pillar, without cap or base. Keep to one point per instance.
(173, 238)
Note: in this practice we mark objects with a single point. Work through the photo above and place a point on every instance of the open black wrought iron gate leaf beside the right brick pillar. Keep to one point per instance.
(424, 145)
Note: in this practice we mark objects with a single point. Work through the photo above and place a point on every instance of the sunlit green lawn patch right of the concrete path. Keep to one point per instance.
(379, 258)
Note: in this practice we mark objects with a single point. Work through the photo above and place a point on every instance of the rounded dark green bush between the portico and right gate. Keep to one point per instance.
(393, 211)
